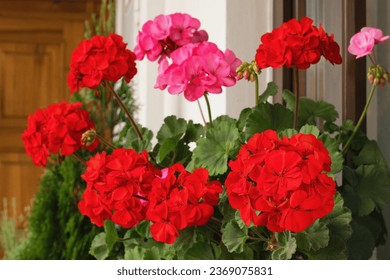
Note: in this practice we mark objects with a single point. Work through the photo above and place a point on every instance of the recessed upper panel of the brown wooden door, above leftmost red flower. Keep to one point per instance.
(38, 70)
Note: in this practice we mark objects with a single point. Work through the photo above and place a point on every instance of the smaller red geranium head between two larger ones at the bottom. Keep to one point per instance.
(181, 199)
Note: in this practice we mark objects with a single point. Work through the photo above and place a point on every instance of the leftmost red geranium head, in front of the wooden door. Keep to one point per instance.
(56, 129)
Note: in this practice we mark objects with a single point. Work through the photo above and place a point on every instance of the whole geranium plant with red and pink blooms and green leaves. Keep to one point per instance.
(258, 187)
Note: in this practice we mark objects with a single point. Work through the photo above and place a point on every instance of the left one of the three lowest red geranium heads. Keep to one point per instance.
(120, 184)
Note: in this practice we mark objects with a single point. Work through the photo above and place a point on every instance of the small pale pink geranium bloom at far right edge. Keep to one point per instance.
(363, 42)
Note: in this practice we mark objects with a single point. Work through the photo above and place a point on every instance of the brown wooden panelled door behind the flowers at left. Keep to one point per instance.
(37, 38)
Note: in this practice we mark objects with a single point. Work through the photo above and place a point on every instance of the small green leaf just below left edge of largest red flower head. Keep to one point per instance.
(234, 237)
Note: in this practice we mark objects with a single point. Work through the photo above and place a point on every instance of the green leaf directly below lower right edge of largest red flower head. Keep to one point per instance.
(313, 238)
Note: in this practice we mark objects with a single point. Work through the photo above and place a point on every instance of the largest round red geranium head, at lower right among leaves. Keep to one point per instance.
(281, 183)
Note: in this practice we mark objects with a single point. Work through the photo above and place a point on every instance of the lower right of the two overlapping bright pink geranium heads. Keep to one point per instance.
(196, 69)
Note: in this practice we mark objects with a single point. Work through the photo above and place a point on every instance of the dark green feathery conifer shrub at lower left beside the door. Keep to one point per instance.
(57, 230)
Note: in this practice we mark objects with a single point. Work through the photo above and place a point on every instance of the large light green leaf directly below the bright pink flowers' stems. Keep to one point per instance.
(220, 144)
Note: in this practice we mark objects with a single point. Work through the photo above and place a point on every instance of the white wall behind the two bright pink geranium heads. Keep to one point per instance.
(232, 24)
